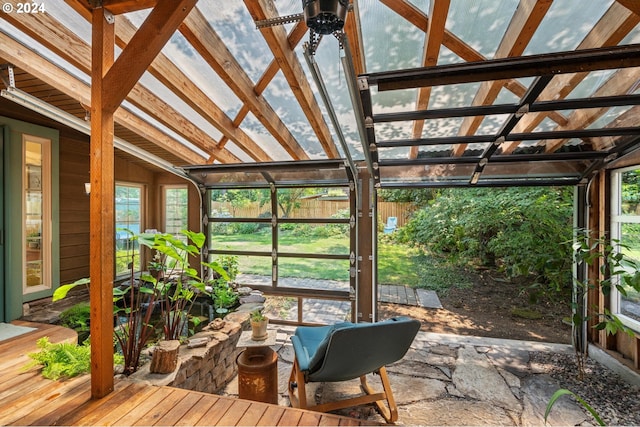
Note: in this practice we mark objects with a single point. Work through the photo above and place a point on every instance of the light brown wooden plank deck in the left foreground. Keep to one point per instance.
(26, 398)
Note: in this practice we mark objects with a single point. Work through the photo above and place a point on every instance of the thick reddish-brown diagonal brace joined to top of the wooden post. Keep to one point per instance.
(145, 45)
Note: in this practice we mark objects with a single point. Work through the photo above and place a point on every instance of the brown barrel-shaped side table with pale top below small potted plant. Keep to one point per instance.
(258, 369)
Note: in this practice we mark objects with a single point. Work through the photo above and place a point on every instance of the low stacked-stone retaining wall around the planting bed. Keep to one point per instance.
(208, 368)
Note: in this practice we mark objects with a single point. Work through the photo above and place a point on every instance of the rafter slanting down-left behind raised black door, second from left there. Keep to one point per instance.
(522, 27)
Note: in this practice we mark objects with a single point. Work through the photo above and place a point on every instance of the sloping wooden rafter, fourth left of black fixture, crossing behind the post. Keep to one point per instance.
(46, 30)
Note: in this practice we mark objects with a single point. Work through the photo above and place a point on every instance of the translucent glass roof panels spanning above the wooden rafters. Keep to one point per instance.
(393, 38)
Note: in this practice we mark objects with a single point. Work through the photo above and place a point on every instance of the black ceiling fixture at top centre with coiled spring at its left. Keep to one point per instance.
(321, 16)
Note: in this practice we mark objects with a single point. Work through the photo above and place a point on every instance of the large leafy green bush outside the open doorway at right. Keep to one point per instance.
(521, 231)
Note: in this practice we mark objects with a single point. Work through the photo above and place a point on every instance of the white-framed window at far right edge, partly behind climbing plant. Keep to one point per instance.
(625, 226)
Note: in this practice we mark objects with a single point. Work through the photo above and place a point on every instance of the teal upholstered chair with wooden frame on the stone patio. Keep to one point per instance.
(345, 351)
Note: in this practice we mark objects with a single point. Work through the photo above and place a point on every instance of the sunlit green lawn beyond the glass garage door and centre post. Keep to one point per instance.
(397, 264)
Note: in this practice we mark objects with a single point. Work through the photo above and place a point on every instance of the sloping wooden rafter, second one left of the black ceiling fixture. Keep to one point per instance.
(206, 41)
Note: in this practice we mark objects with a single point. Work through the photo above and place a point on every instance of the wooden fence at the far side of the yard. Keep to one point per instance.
(315, 208)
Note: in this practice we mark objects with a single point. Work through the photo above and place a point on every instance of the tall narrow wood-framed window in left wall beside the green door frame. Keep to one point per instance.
(36, 224)
